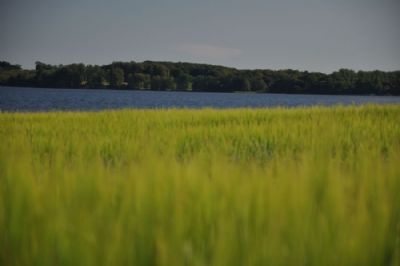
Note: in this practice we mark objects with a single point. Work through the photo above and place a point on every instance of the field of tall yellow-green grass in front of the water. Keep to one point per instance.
(303, 186)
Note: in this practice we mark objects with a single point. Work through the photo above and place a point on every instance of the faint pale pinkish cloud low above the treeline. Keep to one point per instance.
(209, 51)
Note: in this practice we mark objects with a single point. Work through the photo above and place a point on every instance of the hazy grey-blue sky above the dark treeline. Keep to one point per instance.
(313, 35)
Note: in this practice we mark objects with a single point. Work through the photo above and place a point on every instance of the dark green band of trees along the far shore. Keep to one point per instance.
(150, 75)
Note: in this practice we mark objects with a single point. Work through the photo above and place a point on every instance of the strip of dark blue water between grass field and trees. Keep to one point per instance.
(37, 99)
